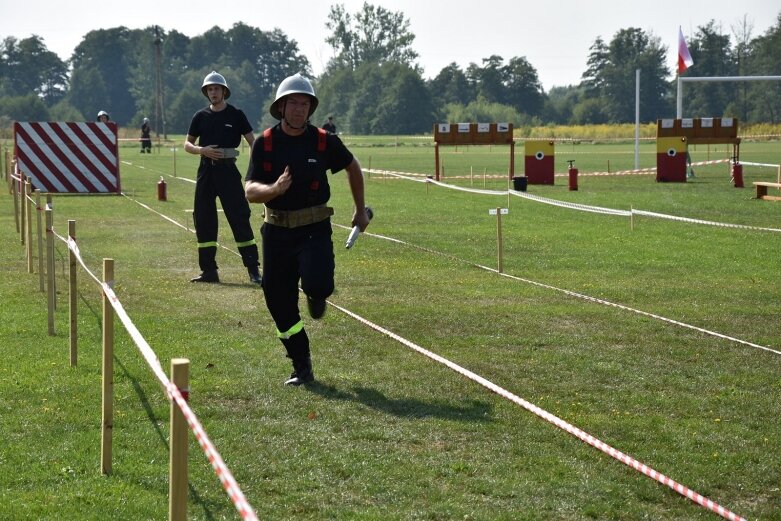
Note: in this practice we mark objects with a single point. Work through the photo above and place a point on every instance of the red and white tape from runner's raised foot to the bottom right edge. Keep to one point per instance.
(558, 422)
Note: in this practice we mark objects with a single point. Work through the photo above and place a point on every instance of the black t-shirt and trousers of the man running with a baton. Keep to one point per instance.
(296, 231)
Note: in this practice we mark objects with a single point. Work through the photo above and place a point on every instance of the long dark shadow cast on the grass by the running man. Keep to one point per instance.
(475, 411)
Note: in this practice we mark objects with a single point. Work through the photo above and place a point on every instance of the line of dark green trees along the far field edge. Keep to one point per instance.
(373, 84)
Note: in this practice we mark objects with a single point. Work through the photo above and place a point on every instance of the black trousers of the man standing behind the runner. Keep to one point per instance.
(222, 180)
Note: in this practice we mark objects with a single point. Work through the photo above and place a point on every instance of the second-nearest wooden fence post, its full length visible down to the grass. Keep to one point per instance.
(107, 423)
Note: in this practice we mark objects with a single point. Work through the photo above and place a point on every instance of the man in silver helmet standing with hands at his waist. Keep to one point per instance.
(219, 128)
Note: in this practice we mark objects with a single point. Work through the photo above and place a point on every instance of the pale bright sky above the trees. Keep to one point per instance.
(554, 37)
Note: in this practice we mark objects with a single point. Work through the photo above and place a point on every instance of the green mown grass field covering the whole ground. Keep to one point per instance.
(387, 433)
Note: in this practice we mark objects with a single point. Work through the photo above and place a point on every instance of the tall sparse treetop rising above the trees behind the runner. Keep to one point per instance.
(372, 35)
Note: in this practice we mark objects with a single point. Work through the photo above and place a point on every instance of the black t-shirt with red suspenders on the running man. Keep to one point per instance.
(308, 167)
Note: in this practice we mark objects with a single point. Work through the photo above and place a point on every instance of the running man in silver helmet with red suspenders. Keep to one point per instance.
(288, 173)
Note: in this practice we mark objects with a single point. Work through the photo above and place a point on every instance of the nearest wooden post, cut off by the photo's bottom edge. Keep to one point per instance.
(177, 467)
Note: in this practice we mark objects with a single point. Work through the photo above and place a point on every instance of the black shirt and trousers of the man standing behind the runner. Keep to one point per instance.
(220, 178)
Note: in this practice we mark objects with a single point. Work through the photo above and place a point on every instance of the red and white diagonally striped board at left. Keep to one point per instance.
(69, 157)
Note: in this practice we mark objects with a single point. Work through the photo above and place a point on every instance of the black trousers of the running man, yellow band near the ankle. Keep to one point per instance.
(289, 255)
